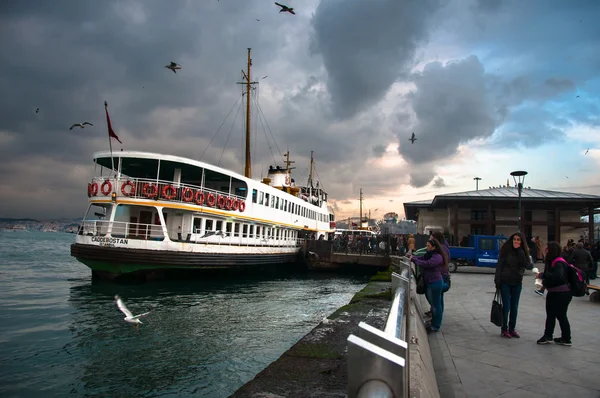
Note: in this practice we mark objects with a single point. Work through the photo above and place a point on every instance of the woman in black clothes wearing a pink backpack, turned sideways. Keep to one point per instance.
(555, 280)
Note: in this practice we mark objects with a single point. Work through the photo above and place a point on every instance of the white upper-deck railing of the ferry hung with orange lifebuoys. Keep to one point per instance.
(118, 184)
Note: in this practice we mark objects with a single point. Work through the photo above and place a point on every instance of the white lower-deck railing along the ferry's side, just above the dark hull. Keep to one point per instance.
(140, 231)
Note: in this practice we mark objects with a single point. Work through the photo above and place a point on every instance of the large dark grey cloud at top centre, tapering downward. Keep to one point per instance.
(366, 46)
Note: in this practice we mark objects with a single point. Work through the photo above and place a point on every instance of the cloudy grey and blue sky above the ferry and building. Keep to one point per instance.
(487, 86)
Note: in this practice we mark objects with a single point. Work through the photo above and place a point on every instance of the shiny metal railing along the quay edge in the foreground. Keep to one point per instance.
(378, 360)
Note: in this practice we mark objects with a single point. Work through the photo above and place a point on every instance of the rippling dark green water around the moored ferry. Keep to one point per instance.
(60, 333)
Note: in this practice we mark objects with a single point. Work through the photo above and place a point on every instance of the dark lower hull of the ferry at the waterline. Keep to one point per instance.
(114, 262)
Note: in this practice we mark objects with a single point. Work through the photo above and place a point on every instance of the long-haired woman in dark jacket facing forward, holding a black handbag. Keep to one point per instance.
(513, 260)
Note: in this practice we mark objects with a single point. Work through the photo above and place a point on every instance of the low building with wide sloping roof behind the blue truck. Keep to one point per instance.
(550, 215)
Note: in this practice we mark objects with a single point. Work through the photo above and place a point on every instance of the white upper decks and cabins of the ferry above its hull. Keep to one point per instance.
(161, 198)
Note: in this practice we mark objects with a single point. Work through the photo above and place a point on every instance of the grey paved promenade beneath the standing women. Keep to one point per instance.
(472, 360)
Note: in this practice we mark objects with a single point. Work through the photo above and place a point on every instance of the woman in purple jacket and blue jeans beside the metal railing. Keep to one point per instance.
(433, 263)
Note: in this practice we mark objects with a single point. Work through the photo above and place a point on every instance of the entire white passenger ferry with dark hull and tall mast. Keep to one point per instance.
(149, 213)
